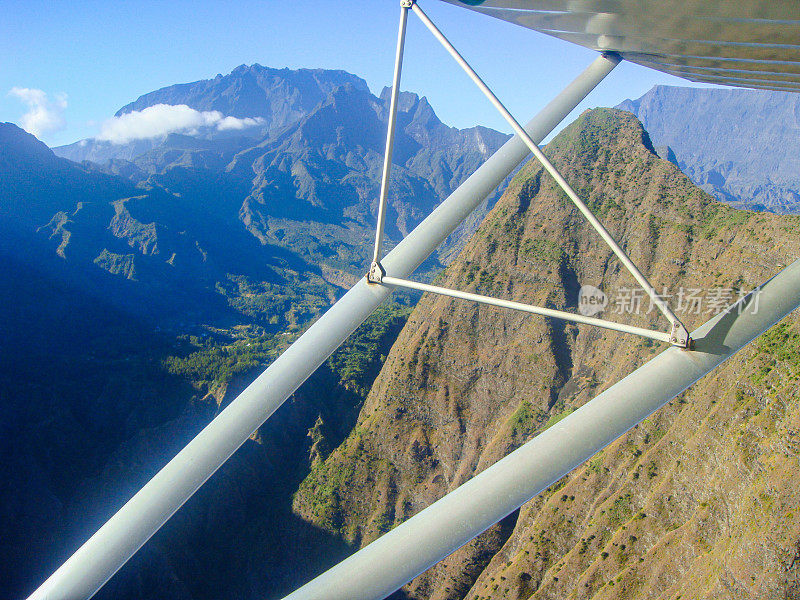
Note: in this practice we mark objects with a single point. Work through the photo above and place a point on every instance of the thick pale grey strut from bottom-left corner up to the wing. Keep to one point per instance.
(118, 539)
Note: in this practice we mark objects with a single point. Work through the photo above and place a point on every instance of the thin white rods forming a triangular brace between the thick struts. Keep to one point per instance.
(678, 334)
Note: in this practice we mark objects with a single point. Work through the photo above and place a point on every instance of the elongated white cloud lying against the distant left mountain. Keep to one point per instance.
(161, 119)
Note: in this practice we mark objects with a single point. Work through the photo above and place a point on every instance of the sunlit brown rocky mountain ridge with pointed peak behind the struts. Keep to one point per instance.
(697, 502)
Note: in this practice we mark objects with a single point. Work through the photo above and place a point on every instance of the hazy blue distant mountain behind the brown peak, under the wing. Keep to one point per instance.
(742, 146)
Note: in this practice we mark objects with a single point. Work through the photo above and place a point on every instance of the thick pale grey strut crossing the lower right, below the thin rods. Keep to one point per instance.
(412, 547)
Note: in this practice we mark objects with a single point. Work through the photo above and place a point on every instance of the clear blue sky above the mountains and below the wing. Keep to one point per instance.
(90, 58)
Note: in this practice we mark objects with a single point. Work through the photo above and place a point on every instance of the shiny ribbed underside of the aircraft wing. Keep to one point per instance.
(742, 43)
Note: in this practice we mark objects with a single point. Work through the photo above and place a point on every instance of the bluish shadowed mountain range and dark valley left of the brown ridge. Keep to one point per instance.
(152, 284)
